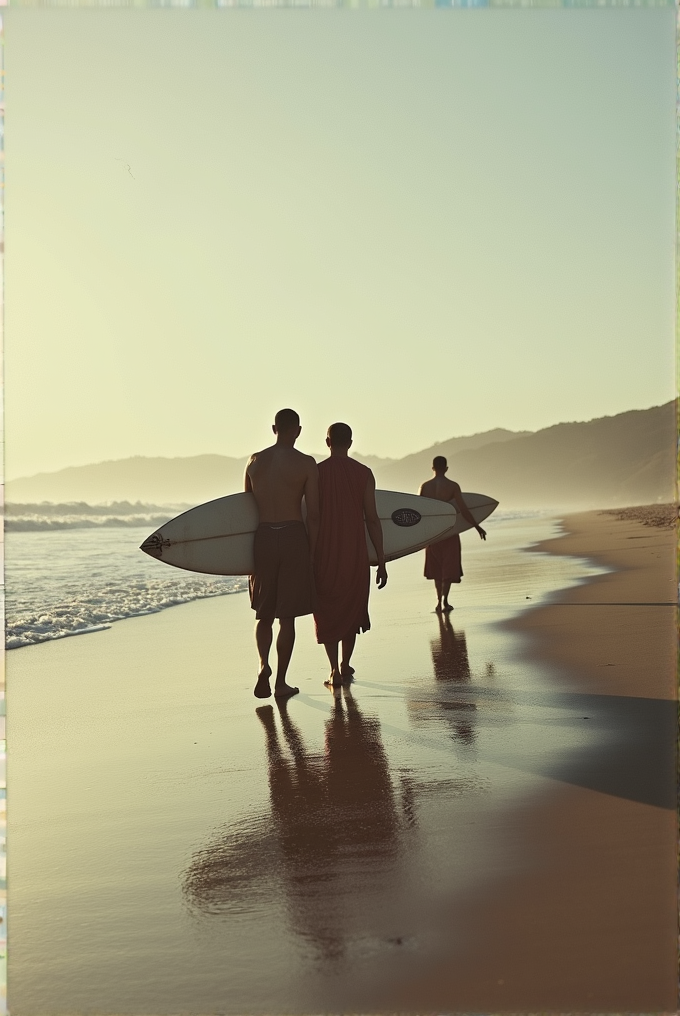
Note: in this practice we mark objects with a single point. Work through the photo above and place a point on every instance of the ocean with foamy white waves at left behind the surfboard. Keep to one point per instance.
(75, 569)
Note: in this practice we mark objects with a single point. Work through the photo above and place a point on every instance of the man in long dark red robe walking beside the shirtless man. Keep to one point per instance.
(347, 507)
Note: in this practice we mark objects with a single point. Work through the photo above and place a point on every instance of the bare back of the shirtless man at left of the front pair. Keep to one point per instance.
(280, 477)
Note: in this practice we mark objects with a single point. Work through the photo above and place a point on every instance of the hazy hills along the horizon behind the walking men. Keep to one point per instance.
(625, 460)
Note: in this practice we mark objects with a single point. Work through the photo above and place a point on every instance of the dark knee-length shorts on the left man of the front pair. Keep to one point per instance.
(282, 584)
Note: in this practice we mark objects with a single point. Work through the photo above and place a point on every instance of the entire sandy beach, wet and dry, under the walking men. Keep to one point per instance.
(485, 821)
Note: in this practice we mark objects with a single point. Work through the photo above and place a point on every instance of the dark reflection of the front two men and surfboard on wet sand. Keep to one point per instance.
(332, 842)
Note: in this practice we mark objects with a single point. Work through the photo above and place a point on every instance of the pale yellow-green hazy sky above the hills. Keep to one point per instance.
(426, 224)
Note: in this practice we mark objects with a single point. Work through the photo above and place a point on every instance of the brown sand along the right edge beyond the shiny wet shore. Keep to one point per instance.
(593, 927)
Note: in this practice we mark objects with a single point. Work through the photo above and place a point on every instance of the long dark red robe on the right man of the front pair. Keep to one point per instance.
(342, 571)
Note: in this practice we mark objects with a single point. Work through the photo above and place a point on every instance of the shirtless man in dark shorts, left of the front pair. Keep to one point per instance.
(281, 588)
